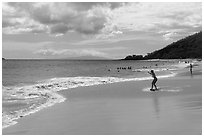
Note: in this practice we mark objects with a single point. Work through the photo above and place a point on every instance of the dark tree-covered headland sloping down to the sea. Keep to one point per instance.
(189, 47)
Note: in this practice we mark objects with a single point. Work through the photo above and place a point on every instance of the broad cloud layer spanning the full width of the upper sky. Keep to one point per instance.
(102, 20)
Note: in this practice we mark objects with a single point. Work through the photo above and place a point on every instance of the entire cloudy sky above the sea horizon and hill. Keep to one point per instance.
(110, 30)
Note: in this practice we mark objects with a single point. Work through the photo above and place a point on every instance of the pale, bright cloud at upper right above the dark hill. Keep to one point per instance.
(156, 17)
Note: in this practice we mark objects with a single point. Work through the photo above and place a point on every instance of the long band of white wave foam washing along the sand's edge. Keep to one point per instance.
(48, 89)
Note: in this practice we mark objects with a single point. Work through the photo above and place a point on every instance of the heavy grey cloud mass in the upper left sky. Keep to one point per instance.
(56, 18)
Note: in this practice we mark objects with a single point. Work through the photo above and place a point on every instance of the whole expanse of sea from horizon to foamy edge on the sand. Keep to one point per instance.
(31, 85)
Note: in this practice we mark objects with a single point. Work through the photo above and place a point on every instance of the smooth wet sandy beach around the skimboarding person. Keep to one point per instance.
(123, 108)
